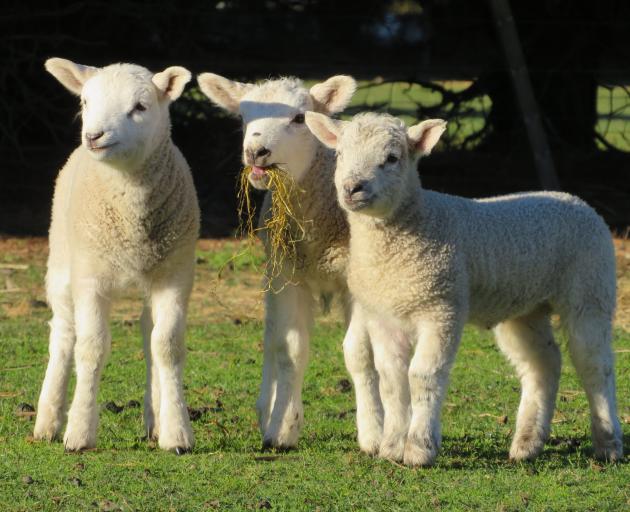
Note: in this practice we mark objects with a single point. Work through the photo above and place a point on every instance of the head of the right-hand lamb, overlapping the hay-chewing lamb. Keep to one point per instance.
(376, 158)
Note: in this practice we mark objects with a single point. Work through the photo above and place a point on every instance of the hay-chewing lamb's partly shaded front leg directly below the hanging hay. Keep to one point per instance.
(289, 319)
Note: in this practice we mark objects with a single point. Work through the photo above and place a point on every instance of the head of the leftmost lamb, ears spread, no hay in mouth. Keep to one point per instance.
(124, 107)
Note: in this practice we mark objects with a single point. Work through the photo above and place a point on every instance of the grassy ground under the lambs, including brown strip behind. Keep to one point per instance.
(227, 470)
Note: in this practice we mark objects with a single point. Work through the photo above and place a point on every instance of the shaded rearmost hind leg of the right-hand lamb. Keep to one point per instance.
(590, 336)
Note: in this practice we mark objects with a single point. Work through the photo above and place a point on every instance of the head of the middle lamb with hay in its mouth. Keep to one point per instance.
(273, 119)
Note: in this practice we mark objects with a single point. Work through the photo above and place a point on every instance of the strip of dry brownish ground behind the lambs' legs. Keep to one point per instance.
(235, 295)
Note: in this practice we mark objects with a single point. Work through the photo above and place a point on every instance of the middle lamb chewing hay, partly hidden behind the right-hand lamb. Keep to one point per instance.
(273, 117)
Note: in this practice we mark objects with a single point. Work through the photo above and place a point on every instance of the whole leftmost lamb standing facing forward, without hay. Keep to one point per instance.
(124, 212)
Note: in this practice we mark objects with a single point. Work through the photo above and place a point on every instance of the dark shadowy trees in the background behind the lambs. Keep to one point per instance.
(573, 49)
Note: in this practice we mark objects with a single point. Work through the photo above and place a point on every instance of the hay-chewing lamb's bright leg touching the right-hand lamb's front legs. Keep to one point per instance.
(359, 358)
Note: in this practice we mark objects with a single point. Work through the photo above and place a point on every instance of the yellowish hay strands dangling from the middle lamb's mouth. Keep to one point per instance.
(282, 225)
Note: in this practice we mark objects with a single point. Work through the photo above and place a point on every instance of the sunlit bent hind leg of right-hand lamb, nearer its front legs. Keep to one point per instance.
(529, 345)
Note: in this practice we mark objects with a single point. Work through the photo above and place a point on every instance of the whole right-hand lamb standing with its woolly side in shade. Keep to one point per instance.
(423, 263)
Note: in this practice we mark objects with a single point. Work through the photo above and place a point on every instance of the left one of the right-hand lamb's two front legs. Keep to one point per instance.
(391, 355)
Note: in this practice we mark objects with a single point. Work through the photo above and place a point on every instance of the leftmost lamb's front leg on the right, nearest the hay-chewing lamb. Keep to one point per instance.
(169, 304)
